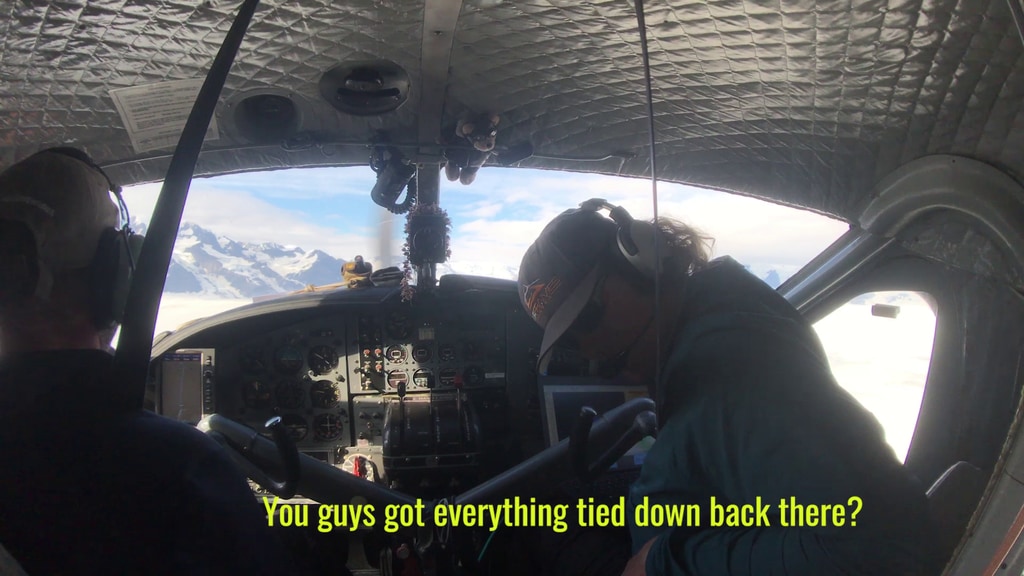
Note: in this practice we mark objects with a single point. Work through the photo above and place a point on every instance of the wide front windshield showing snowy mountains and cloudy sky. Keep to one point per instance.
(257, 235)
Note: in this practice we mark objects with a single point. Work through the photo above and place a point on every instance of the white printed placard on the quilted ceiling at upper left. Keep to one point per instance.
(156, 114)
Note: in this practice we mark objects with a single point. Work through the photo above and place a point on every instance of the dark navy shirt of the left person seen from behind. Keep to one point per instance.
(89, 487)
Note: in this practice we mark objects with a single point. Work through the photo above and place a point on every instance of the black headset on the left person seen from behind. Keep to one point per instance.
(113, 265)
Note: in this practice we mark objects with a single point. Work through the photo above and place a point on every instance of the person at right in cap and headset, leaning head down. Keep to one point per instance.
(747, 403)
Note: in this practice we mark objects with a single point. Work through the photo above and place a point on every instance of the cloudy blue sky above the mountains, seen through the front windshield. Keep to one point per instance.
(494, 220)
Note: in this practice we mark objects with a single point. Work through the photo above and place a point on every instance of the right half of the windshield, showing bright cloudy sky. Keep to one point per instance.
(764, 235)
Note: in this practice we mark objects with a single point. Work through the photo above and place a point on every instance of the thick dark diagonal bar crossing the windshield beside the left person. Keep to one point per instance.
(133, 358)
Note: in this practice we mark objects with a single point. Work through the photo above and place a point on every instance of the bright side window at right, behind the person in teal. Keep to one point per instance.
(880, 347)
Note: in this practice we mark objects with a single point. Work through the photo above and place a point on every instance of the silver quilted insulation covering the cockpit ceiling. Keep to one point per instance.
(799, 102)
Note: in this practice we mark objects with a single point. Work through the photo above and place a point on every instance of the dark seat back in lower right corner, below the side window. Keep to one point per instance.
(952, 502)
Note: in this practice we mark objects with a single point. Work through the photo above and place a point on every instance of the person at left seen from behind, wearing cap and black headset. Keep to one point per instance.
(90, 483)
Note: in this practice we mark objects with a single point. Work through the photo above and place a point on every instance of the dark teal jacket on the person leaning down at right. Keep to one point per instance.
(752, 416)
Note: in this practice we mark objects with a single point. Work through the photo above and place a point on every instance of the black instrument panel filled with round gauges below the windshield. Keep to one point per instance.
(424, 397)
